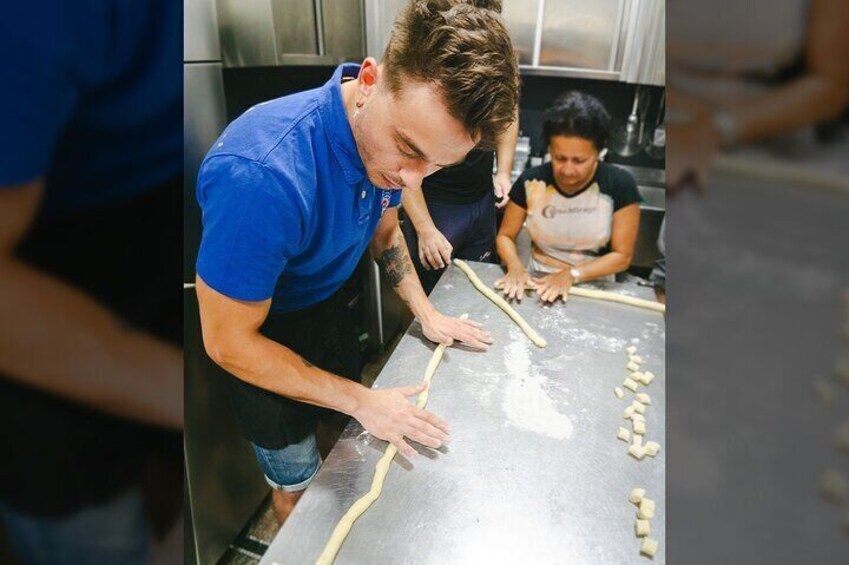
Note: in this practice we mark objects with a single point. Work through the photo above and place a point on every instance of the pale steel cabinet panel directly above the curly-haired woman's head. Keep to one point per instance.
(579, 33)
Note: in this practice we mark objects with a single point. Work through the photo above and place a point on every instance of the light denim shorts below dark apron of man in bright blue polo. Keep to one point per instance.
(291, 468)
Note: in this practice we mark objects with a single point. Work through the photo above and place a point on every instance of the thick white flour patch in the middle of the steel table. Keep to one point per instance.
(526, 403)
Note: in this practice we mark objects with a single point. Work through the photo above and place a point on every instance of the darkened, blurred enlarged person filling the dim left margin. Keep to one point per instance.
(90, 258)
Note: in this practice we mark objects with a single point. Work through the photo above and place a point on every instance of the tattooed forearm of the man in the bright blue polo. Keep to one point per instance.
(394, 260)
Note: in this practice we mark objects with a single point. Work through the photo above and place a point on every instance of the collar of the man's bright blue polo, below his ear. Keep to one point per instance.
(332, 110)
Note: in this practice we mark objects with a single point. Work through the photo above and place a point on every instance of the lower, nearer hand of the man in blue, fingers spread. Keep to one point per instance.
(387, 415)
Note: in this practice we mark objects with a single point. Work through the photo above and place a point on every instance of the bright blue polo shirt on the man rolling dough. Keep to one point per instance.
(286, 206)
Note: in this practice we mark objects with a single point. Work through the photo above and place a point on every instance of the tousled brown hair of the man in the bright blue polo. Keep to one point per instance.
(466, 52)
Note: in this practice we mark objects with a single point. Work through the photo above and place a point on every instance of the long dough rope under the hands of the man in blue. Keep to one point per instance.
(328, 555)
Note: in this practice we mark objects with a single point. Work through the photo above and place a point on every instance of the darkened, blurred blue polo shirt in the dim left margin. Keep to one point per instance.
(91, 98)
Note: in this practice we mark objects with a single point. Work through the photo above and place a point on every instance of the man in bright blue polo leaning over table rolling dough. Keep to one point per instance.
(296, 189)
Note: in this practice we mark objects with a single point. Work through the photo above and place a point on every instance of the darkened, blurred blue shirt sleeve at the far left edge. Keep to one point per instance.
(38, 93)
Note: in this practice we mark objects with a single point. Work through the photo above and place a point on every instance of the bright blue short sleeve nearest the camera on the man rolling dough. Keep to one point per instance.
(253, 222)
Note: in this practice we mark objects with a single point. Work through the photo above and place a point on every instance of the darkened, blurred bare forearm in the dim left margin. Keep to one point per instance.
(55, 338)
